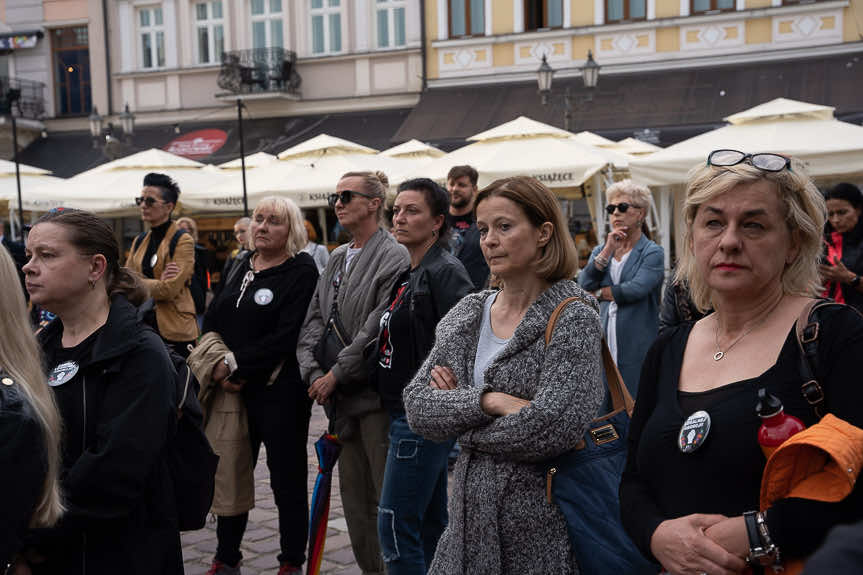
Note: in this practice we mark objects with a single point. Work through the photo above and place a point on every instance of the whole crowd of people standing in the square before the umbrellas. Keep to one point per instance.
(458, 320)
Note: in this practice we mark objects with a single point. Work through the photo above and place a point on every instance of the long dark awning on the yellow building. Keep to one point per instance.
(679, 103)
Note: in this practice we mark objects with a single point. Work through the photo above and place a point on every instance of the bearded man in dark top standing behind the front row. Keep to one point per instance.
(461, 185)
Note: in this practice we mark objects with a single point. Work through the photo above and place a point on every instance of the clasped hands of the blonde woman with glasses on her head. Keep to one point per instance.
(683, 548)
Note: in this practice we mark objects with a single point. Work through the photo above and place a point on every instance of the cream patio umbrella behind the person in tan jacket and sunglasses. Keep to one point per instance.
(110, 189)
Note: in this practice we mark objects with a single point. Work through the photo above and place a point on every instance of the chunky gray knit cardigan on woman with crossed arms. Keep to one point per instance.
(499, 519)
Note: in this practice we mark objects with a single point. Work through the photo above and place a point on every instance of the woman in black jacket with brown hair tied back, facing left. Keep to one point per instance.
(114, 386)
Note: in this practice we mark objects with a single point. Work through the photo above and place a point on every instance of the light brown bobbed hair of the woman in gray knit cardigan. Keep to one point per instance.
(559, 258)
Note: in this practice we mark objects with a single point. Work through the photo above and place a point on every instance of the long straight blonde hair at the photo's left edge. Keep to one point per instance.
(19, 357)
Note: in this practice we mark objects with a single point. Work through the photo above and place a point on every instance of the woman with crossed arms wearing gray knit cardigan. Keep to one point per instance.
(512, 402)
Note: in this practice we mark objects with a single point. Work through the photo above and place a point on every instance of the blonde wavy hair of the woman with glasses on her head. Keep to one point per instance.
(805, 213)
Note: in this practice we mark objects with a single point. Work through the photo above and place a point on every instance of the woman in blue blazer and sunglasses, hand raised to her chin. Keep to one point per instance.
(626, 275)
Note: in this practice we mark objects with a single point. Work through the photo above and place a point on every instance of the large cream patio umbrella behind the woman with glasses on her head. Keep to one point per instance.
(829, 148)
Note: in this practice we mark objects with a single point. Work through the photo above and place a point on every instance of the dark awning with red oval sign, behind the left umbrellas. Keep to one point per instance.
(271, 135)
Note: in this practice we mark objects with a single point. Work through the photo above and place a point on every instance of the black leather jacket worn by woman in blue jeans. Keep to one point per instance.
(436, 284)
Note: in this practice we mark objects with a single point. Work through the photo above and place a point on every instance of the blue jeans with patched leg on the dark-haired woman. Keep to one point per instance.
(412, 513)
